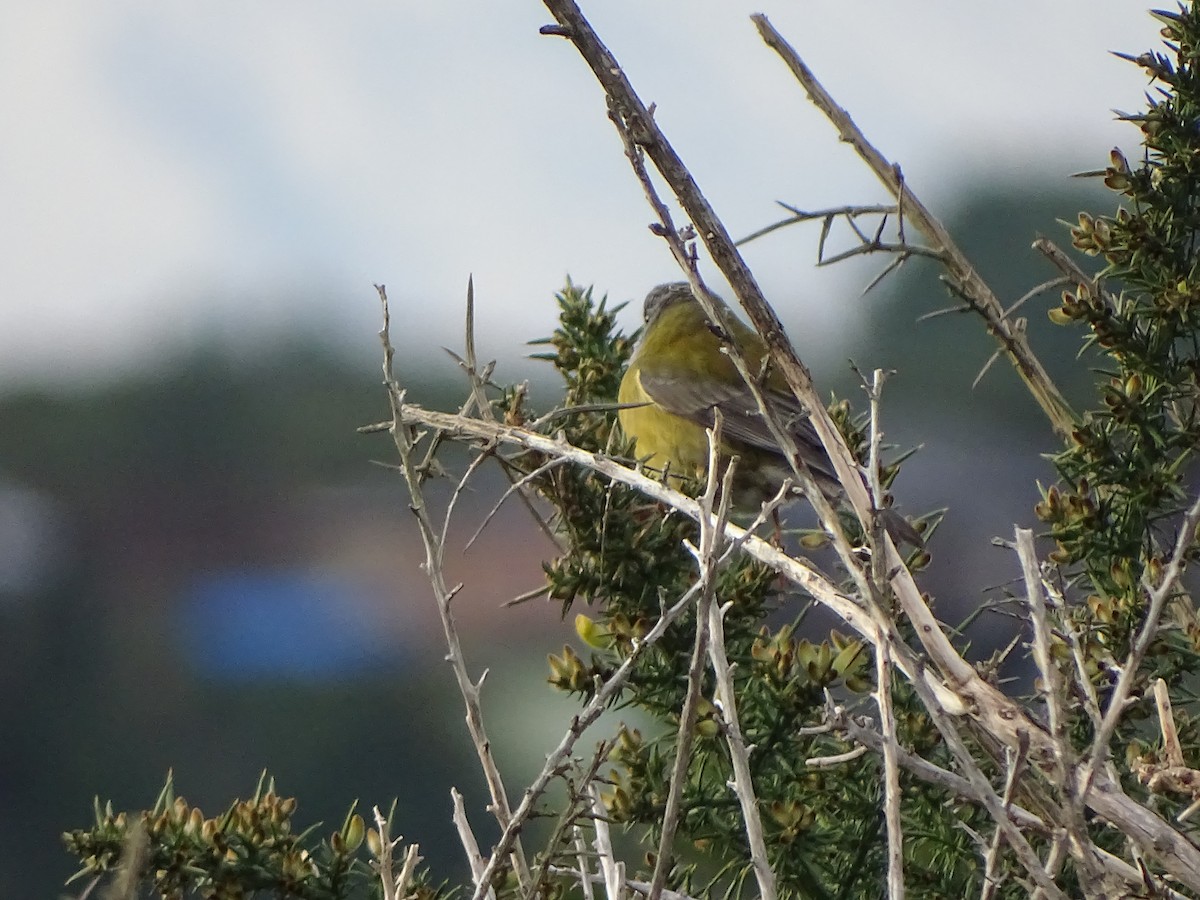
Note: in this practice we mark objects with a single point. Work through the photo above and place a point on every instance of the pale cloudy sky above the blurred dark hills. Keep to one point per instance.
(179, 172)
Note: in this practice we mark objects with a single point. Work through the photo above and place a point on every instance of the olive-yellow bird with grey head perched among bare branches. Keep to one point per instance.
(681, 375)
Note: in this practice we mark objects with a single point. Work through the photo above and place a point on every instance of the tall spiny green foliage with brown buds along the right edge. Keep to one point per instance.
(1125, 473)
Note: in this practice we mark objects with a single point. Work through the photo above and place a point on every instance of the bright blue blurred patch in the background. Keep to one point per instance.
(284, 623)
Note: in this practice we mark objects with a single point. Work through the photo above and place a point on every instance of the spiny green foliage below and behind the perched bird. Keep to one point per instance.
(626, 561)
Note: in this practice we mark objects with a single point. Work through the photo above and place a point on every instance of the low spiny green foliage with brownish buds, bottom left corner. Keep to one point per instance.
(248, 850)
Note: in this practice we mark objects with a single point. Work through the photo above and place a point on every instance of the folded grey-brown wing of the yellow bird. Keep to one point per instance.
(742, 423)
